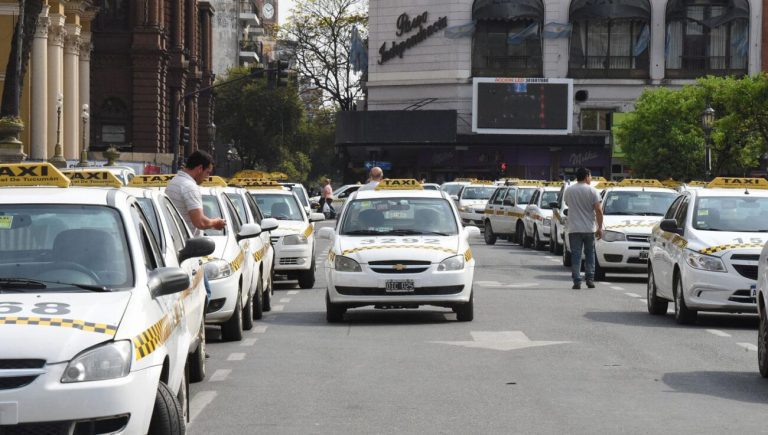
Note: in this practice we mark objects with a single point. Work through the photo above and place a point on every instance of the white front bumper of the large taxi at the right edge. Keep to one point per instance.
(718, 291)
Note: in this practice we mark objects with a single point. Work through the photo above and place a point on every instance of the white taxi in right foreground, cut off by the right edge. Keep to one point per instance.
(704, 253)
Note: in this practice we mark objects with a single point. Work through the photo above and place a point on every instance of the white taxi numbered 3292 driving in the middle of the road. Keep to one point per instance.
(399, 246)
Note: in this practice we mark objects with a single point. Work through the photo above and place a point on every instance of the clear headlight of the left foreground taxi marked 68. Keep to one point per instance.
(109, 361)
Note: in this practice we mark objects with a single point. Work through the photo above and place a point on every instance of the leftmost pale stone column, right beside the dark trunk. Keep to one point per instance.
(39, 131)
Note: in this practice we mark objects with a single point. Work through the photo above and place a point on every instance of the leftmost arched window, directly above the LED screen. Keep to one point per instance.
(507, 40)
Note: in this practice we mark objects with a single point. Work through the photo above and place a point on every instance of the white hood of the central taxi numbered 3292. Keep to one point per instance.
(415, 248)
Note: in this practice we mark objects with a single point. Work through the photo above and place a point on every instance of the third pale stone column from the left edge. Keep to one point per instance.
(71, 125)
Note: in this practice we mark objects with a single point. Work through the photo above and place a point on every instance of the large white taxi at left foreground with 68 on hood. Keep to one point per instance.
(91, 315)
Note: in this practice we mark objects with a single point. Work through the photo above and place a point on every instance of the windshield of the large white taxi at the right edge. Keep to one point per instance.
(731, 213)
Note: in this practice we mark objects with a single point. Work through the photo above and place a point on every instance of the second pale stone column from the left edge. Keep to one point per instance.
(56, 35)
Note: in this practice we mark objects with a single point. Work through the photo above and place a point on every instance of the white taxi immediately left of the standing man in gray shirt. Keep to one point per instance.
(537, 218)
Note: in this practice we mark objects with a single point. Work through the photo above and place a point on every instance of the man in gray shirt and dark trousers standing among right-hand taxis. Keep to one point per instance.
(585, 222)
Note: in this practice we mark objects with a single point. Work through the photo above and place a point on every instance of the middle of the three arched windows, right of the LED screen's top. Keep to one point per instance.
(610, 39)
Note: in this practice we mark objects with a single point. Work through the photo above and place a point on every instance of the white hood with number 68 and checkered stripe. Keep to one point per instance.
(57, 326)
